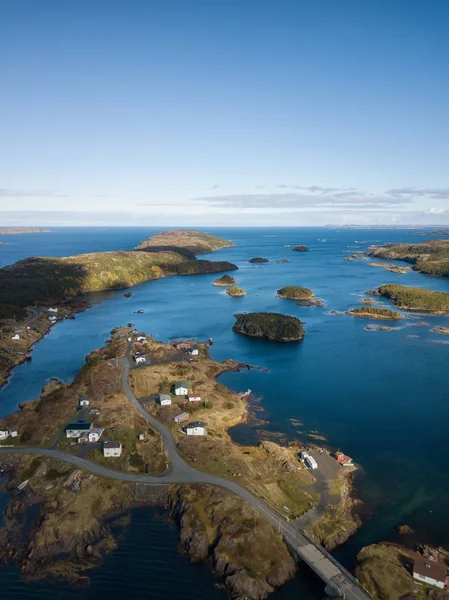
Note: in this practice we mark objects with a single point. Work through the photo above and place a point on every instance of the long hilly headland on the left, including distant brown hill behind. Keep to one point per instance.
(31, 287)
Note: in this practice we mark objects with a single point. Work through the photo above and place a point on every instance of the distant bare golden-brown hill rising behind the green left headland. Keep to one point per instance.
(193, 241)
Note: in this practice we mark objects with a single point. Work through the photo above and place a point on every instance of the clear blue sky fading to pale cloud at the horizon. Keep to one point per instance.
(217, 112)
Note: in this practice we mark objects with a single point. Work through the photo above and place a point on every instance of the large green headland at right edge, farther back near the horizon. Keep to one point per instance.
(431, 258)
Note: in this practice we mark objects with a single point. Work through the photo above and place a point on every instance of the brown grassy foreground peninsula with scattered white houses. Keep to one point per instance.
(107, 401)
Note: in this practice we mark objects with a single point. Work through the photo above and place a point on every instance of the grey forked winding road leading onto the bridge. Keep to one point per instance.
(306, 547)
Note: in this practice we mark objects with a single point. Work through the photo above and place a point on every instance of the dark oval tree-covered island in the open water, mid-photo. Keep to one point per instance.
(271, 326)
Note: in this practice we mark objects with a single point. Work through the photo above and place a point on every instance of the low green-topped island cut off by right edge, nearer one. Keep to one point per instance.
(414, 298)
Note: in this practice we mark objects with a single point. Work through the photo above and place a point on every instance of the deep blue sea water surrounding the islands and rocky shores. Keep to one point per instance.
(380, 396)
